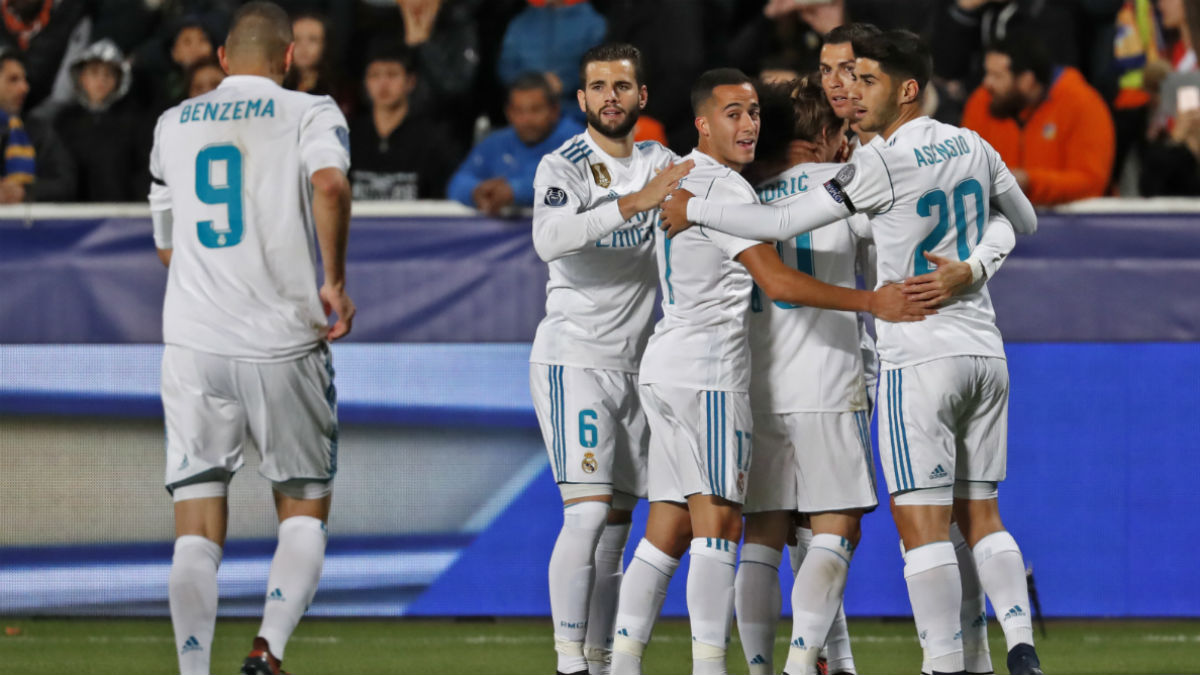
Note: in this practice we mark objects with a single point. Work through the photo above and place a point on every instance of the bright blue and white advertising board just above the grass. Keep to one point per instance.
(446, 505)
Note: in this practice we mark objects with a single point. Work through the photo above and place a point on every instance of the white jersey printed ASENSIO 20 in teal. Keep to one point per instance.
(928, 189)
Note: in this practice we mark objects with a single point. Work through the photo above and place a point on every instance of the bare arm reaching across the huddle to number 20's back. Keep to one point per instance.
(782, 283)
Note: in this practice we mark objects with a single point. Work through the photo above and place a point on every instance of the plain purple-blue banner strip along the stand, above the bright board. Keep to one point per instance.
(452, 279)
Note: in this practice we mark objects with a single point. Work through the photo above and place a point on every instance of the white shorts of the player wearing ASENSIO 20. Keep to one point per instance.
(943, 421)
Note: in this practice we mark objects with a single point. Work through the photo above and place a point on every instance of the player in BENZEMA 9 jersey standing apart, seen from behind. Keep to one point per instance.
(245, 180)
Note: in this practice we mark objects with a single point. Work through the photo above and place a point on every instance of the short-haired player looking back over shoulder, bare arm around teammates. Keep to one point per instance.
(694, 384)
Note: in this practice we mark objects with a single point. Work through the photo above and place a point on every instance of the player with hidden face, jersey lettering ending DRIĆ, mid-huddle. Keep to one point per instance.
(811, 410)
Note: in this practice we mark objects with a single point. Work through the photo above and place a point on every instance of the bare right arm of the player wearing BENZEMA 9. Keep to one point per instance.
(332, 211)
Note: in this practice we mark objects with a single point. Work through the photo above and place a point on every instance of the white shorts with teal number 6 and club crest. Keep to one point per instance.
(593, 427)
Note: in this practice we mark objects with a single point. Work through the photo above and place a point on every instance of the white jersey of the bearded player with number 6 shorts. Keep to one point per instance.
(601, 295)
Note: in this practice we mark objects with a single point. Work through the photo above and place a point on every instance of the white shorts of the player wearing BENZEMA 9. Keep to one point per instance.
(214, 404)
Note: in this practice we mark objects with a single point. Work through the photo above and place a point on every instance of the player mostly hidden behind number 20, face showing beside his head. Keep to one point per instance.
(837, 68)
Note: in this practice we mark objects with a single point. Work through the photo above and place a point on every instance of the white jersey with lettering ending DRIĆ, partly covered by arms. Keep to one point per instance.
(808, 360)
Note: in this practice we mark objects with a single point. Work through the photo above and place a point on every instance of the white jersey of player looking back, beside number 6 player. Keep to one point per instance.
(701, 341)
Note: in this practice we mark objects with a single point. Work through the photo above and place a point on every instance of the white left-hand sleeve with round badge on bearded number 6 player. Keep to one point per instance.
(562, 222)
